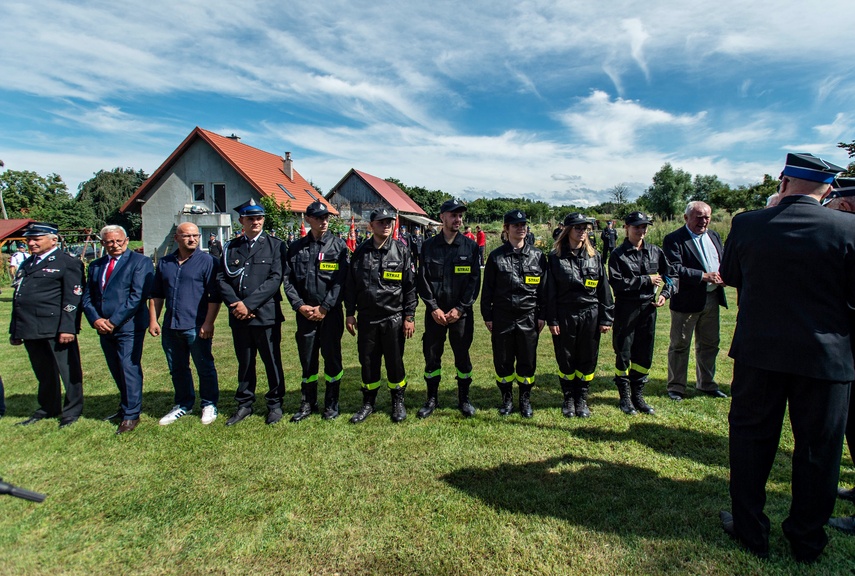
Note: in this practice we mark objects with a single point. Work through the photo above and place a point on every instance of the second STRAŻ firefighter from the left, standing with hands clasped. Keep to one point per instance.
(381, 287)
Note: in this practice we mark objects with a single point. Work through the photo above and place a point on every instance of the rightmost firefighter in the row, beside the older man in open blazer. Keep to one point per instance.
(642, 280)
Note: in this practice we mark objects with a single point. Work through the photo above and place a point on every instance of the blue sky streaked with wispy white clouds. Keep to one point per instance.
(552, 100)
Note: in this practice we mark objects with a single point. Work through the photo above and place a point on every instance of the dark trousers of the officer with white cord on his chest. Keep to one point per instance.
(264, 341)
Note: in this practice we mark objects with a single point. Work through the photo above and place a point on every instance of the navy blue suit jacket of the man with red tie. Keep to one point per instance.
(125, 299)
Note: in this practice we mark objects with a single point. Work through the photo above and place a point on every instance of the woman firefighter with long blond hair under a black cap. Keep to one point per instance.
(579, 309)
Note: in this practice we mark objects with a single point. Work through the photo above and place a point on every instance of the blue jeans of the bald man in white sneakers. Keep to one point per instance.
(179, 346)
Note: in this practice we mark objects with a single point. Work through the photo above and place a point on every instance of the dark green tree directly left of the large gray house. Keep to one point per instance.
(105, 193)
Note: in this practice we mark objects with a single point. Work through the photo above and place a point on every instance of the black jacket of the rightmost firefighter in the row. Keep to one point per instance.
(630, 270)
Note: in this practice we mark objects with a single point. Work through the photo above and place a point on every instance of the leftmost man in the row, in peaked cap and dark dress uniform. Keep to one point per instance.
(46, 320)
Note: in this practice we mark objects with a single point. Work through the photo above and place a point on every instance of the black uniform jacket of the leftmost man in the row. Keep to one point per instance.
(47, 297)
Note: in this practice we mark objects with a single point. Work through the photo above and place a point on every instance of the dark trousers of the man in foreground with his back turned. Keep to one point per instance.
(818, 410)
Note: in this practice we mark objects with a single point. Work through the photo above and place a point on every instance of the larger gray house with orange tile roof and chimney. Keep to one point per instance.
(204, 179)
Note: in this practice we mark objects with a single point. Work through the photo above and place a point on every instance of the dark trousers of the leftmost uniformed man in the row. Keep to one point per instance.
(54, 362)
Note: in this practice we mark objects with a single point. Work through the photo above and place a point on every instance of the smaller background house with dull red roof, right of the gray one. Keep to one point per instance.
(358, 193)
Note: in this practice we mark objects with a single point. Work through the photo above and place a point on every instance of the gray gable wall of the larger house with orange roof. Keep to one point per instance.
(163, 207)
